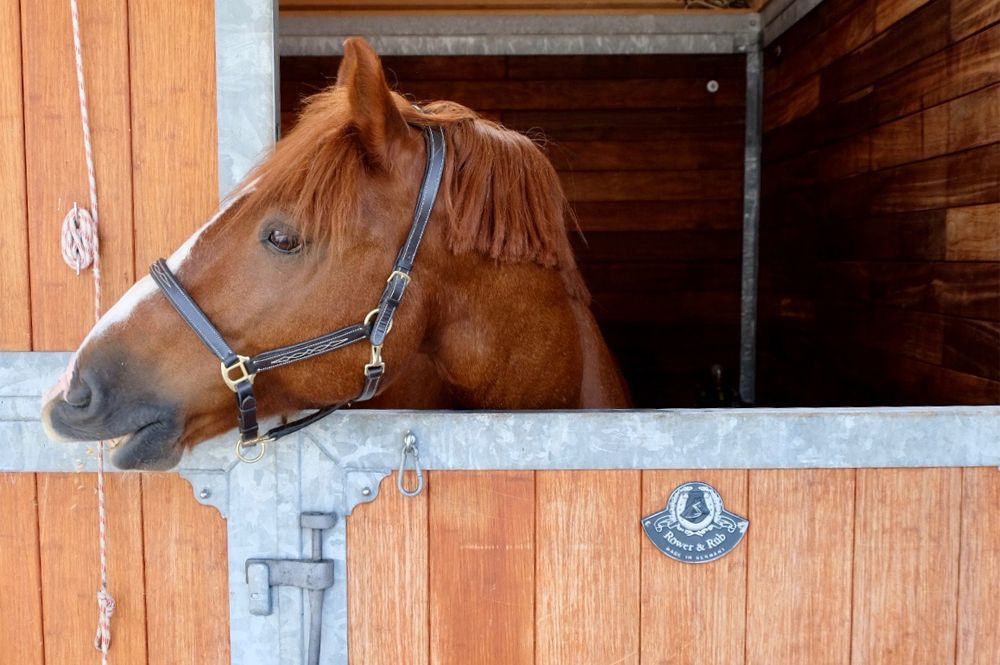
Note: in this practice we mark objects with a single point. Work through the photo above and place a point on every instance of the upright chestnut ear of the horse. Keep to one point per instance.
(373, 111)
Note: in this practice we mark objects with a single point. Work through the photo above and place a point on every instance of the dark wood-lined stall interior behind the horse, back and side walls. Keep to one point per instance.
(880, 214)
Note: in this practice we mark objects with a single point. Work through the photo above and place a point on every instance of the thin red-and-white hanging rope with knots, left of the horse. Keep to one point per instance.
(81, 248)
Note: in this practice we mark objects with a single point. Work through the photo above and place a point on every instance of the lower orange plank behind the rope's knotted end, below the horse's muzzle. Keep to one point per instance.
(70, 567)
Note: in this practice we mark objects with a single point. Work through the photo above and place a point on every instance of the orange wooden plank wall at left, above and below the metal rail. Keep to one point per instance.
(151, 80)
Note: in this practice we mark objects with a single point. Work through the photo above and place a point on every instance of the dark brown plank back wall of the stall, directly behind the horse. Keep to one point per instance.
(653, 164)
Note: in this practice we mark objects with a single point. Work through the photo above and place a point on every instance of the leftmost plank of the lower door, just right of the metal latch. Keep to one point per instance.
(387, 592)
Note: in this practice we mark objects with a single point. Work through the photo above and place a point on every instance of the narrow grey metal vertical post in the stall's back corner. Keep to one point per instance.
(751, 224)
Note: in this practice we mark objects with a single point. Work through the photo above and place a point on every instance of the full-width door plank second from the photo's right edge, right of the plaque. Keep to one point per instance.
(906, 565)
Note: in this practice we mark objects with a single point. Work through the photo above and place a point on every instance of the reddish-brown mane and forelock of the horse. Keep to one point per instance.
(502, 196)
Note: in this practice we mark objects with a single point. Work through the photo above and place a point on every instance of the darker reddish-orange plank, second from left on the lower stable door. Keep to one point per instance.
(482, 567)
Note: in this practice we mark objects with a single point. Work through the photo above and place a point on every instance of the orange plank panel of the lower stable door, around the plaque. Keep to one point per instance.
(839, 567)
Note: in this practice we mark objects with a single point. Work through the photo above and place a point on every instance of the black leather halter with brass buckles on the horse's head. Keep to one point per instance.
(239, 371)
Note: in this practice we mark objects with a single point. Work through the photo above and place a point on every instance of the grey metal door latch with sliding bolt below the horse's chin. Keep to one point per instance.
(315, 575)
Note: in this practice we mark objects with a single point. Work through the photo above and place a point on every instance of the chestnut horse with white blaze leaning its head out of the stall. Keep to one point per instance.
(497, 315)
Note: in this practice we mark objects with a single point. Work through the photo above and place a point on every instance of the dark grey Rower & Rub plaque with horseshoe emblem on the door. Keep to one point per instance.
(695, 527)
